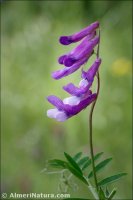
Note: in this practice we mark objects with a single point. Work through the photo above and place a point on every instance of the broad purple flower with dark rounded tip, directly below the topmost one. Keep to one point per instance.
(80, 53)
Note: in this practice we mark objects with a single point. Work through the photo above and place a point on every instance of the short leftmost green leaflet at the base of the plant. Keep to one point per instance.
(57, 163)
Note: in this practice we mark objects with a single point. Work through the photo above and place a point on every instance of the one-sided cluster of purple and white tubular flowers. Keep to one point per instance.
(81, 96)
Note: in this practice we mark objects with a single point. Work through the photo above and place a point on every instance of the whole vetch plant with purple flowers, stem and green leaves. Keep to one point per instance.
(85, 168)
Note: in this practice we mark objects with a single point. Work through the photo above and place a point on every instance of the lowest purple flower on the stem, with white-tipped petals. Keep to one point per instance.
(68, 107)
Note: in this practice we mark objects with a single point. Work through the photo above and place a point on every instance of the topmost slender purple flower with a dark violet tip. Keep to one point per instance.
(66, 40)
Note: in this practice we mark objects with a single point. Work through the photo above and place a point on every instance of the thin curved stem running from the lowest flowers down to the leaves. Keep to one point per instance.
(91, 138)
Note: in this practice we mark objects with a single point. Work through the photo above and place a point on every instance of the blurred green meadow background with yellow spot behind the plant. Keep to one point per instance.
(29, 53)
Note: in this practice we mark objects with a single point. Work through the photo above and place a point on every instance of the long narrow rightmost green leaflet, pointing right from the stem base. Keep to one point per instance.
(111, 179)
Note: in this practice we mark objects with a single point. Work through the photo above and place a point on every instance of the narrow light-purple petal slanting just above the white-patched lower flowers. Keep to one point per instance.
(67, 71)
